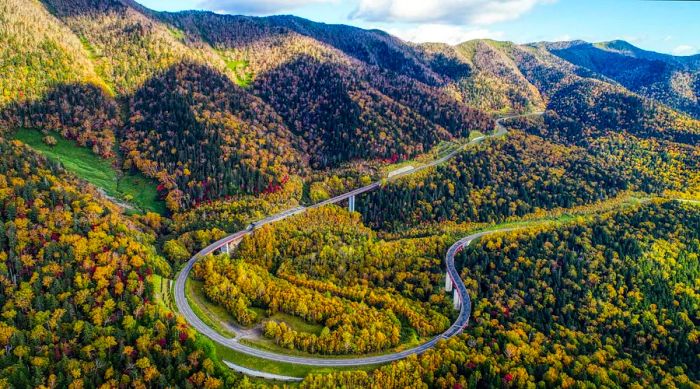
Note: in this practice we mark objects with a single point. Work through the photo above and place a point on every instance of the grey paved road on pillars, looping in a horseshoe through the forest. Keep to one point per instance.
(456, 328)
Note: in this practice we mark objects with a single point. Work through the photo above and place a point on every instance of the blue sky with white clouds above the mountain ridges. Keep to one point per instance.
(664, 26)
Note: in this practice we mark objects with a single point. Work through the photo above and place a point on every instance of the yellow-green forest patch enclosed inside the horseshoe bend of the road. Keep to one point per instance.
(364, 292)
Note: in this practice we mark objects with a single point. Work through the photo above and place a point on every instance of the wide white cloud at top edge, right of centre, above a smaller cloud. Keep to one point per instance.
(481, 12)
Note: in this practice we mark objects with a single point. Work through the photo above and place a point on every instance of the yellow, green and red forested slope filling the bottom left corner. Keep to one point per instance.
(77, 298)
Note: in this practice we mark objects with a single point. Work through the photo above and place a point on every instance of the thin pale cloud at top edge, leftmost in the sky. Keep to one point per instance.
(257, 7)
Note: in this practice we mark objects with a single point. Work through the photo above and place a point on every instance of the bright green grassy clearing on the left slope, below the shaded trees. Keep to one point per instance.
(134, 189)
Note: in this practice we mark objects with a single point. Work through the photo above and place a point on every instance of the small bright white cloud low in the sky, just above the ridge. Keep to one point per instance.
(442, 33)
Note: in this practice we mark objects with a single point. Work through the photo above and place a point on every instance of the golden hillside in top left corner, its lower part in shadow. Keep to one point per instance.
(48, 80)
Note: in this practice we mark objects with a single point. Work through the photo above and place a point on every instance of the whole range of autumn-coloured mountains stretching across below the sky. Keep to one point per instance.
(214, 105)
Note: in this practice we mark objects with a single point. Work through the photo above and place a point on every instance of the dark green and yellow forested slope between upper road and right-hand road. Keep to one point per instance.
(525, 174)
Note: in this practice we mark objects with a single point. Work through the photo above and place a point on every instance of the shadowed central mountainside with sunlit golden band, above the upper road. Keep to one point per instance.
(347, 101)
